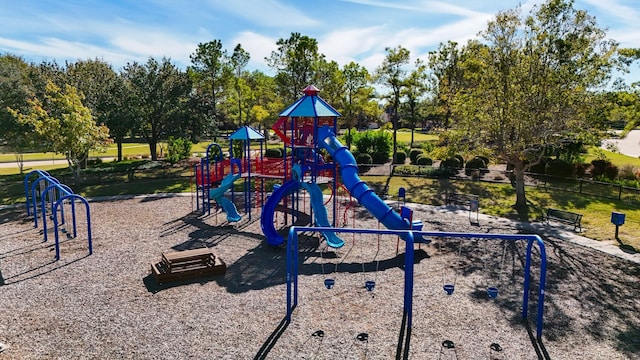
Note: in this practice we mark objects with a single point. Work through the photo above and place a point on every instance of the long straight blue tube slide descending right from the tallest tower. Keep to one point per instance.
(359, 189)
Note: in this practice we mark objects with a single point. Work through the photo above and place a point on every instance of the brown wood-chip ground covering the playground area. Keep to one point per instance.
(108, 306)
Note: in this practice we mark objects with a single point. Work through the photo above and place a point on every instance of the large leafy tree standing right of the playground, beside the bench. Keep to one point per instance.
(528, 86)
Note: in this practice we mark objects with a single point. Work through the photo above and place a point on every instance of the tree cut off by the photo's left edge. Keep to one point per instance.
(15, 89)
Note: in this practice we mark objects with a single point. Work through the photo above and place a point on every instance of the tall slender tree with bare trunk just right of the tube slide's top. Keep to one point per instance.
(392, 74)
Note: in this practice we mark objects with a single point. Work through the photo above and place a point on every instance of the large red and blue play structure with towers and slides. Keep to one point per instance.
(312, 156)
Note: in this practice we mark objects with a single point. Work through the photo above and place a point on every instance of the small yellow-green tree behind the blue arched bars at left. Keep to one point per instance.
(64, 124)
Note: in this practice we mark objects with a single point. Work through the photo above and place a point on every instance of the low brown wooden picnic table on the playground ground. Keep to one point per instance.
(187, 264)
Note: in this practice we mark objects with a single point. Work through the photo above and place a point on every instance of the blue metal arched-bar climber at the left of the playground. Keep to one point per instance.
(53, 196)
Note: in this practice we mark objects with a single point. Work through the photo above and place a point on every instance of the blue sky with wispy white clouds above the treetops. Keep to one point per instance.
(122, 31)
